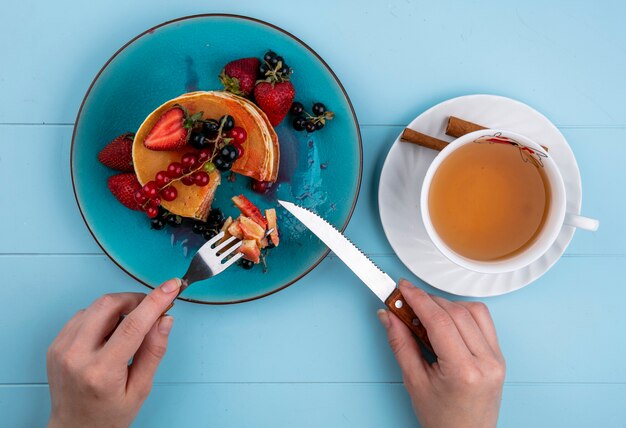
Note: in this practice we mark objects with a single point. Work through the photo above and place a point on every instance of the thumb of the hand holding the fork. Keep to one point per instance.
(149, 356)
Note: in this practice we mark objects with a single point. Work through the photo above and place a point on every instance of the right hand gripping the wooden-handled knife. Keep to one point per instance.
(464, 387)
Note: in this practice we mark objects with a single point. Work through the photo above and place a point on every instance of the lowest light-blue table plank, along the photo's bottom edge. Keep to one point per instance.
(363, 405)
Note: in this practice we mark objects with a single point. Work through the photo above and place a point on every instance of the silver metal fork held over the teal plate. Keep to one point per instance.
(210, 261)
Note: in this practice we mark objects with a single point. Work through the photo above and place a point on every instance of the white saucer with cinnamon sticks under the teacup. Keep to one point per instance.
(404, 171)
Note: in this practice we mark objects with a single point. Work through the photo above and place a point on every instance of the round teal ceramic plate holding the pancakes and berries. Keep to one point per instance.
(321, 171)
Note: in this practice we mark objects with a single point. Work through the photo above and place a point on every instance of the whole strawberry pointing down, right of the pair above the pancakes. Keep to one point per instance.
(274, 93)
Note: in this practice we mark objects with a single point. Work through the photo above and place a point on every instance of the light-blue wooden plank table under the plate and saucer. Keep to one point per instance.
(294, 358)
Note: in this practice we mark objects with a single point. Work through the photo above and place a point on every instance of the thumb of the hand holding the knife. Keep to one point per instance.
(403, 345)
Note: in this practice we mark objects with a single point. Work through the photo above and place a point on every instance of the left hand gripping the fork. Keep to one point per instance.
(91, 381)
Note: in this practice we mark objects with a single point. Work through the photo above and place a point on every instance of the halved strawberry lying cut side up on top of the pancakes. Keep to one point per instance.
(172, 130)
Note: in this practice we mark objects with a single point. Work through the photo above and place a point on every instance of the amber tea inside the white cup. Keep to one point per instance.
(487, 203)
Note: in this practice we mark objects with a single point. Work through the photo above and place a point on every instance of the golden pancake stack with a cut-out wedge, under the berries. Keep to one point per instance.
(259, 161)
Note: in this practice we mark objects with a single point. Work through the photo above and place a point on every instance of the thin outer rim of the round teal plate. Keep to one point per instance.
(245, 18)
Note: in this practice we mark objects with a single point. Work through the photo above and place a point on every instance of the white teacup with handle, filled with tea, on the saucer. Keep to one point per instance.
(557, 216)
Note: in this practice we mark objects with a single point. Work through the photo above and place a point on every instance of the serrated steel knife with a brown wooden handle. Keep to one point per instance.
(378, 281)
